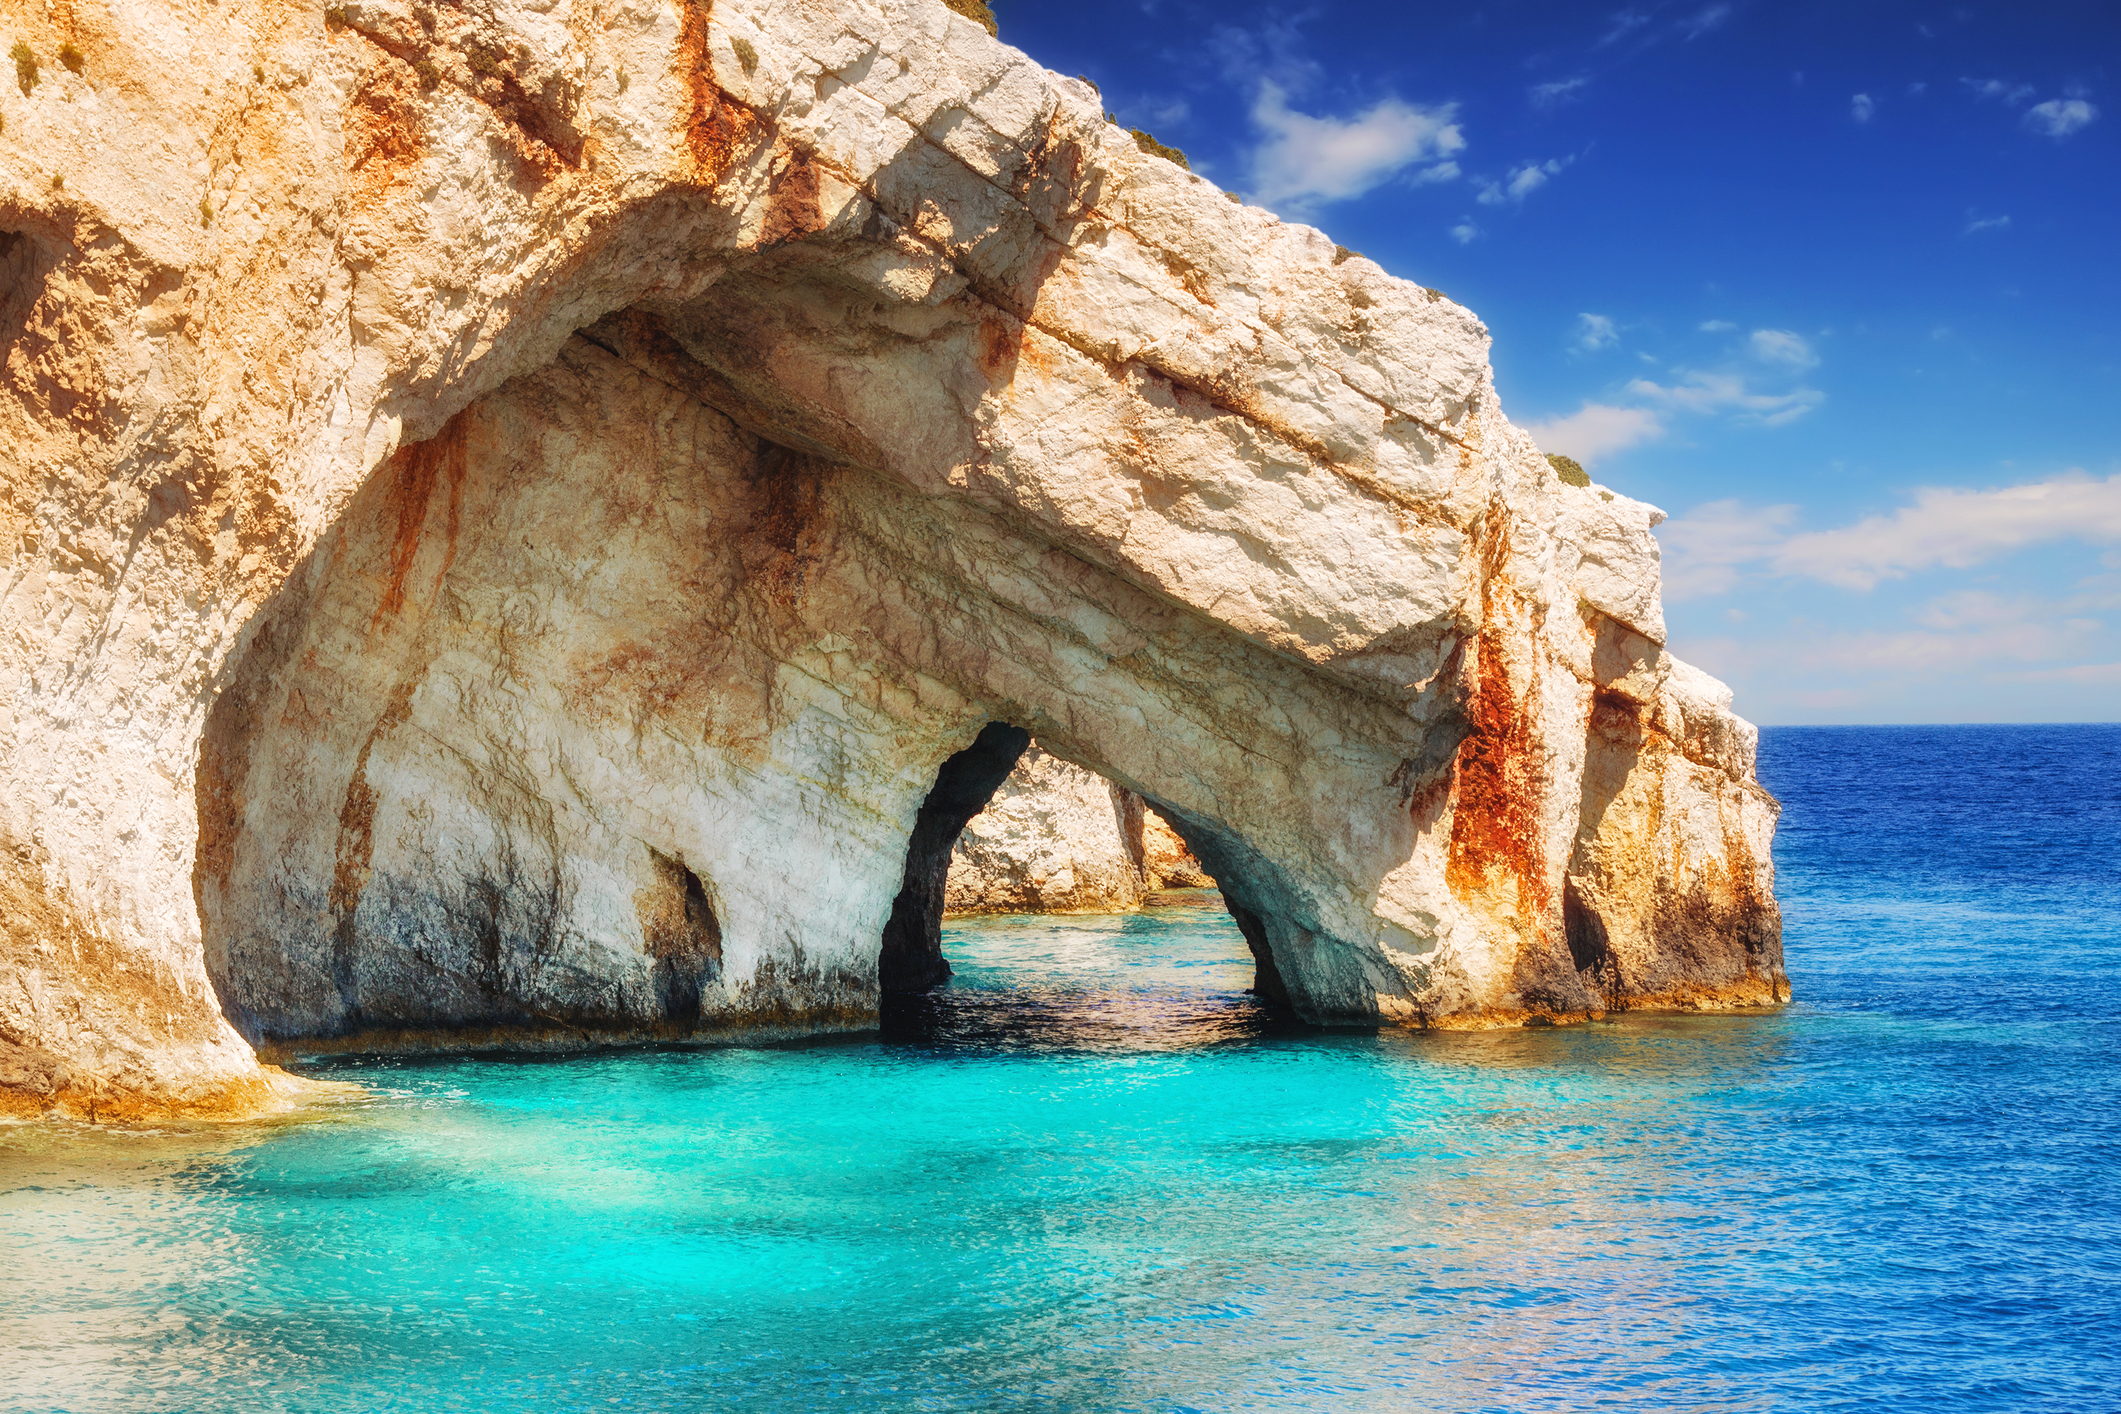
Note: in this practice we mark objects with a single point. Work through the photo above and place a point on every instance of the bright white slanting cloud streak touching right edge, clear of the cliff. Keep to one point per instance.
(1957, 529)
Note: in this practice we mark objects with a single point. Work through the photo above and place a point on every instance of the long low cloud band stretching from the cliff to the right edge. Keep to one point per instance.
(1957, 529)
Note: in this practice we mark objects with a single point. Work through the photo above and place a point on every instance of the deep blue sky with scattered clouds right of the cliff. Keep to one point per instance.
(1836, 285)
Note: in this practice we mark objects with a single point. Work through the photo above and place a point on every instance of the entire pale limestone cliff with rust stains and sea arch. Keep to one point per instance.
(510, 510)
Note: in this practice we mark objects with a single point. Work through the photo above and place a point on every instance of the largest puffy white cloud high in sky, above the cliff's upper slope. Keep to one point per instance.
(1310, 160)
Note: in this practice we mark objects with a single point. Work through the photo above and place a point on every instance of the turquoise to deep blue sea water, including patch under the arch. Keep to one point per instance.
(1093, 1178)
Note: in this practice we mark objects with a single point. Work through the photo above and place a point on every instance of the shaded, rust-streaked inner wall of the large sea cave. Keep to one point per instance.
(487, 777)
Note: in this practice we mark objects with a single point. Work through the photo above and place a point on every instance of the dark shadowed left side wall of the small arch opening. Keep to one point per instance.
(913, 959)
